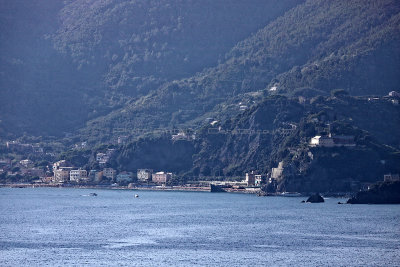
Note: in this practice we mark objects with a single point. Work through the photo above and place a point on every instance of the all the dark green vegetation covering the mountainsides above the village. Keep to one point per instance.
(269, 75)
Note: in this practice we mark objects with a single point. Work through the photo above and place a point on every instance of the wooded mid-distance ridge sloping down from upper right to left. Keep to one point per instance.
(317, 45)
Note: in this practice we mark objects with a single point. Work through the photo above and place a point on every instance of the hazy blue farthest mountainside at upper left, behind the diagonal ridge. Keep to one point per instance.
(66, 62)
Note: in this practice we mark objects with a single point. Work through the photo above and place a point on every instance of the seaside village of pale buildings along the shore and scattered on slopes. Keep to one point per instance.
(63, 173)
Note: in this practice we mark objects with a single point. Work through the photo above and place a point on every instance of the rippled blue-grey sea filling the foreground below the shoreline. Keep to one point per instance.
(69, 227)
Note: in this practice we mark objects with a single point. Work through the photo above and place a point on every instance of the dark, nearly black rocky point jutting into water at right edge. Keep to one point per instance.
(380, 193)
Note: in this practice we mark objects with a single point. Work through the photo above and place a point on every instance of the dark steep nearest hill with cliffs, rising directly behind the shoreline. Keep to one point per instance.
(279, 130)
